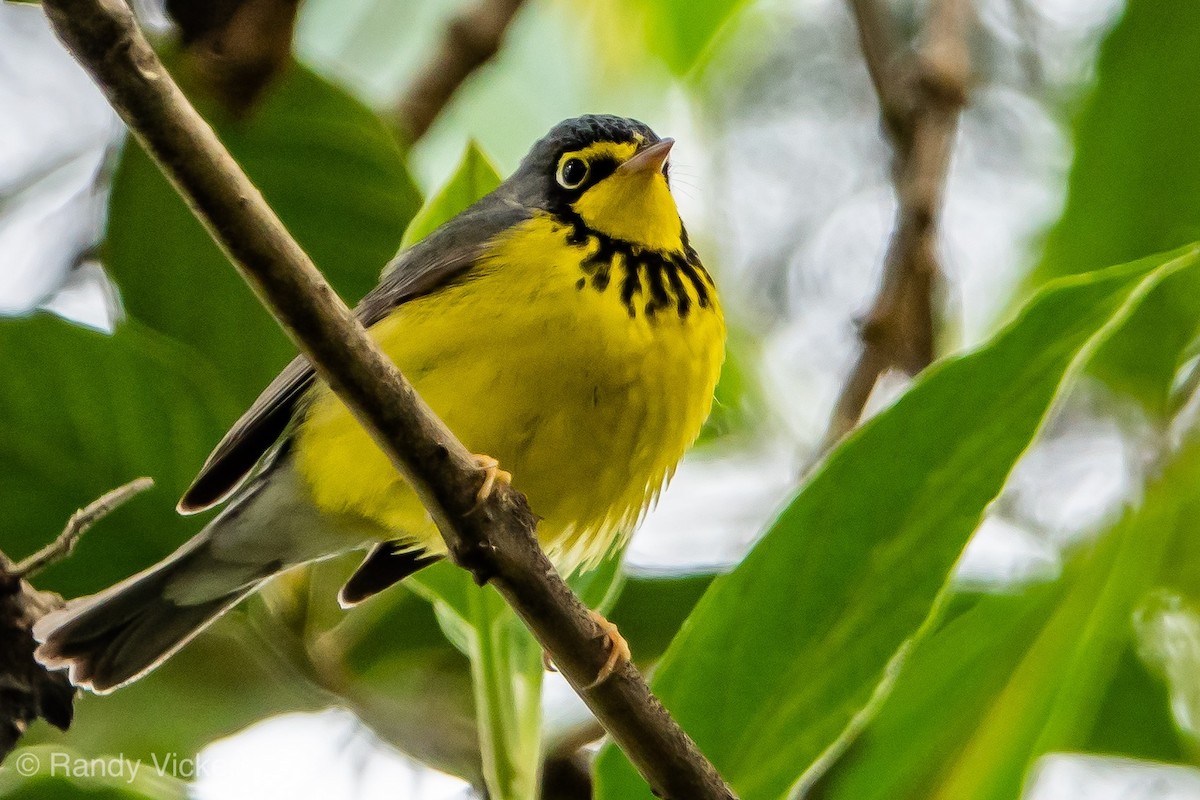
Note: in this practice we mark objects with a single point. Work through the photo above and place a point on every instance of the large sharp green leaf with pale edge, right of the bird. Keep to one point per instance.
(782, 657)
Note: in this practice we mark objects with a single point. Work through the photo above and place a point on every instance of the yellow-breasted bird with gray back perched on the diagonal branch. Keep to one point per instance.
(563, 326)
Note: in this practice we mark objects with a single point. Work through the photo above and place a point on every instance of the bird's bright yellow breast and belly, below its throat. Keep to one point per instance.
(586, 372)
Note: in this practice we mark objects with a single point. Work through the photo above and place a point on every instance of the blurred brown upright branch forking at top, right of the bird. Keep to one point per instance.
(921, 98)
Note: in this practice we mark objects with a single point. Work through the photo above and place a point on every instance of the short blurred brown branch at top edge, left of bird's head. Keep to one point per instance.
(469, 43)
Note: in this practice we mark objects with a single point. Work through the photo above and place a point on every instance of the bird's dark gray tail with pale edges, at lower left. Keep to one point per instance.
(115, 637)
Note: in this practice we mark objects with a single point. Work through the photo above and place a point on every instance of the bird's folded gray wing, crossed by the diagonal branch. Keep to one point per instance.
(447, 254)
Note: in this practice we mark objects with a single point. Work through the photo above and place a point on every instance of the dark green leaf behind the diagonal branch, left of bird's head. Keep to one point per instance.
(332, 172)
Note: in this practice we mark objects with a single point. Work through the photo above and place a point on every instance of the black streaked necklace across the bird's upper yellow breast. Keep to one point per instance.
(652, 280)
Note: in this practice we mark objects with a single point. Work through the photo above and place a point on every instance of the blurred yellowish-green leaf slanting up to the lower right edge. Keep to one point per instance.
(1054, 699)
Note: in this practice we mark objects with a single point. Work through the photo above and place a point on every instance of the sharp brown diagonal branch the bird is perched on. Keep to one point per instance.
(495, 542)
